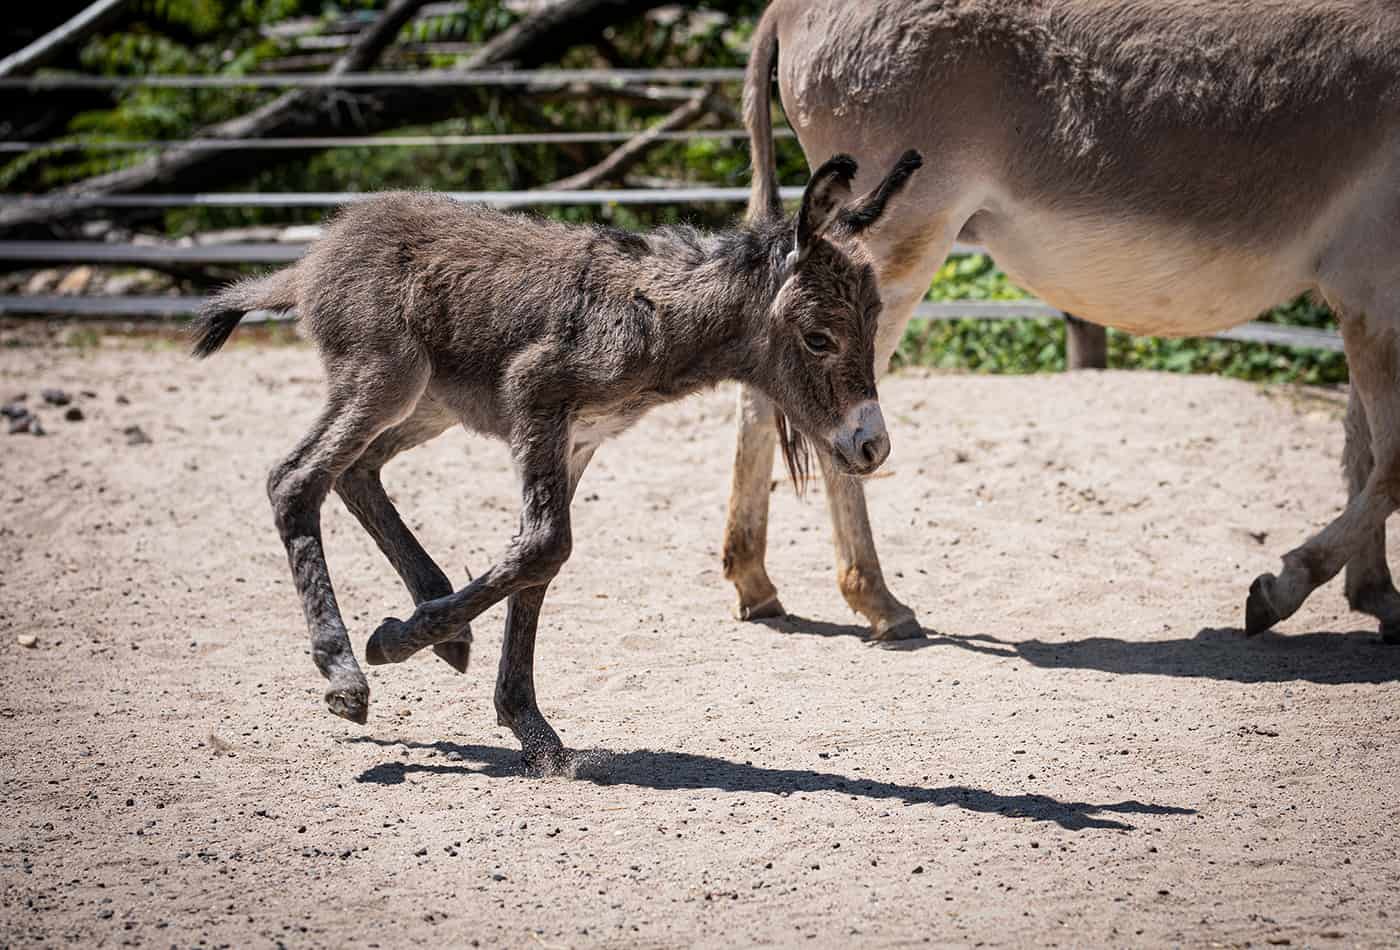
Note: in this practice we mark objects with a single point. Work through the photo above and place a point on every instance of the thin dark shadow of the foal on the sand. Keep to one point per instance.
(682, 772)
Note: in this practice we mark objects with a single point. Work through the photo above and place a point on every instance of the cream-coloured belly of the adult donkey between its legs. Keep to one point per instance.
(1144, 279)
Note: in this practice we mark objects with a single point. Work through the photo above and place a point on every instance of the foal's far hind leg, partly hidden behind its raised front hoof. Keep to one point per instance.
(365, 496)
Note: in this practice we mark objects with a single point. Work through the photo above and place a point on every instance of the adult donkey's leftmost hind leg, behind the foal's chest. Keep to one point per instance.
(747, 528)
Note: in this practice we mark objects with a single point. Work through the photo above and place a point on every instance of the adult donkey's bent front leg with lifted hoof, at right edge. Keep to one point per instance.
(1374, 360)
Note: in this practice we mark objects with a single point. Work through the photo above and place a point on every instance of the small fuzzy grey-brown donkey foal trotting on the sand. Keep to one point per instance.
(551, 338)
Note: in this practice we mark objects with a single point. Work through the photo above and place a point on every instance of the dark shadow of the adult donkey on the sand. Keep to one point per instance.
(1217, 654)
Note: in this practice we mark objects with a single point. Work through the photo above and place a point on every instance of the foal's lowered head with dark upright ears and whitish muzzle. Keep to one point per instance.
(822, 327)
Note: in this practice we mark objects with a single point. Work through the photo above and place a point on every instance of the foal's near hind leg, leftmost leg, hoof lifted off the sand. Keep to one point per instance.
(358, 411)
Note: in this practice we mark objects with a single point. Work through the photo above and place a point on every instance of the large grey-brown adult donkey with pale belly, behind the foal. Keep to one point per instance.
(1165, 167)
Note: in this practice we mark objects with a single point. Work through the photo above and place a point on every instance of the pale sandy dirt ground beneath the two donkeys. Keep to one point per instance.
(1084, 752)
